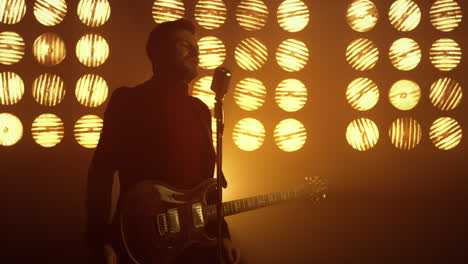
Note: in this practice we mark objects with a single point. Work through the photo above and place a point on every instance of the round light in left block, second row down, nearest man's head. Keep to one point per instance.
(92, 50)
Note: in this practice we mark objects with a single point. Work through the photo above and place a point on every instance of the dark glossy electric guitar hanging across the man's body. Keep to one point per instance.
(157, 222)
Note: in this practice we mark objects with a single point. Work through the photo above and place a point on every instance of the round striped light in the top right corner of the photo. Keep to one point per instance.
(446, 15)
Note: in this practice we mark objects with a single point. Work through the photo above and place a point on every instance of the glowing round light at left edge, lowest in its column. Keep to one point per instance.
(11, 129)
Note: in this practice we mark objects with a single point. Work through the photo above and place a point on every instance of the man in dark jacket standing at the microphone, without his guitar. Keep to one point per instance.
(153, 131)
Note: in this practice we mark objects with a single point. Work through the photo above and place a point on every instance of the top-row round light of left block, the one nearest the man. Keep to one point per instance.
(94, 13)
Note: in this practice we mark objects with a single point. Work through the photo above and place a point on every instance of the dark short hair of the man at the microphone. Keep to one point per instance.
(160, 36)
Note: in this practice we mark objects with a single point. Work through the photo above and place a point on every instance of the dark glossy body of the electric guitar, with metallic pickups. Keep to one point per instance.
(157, 222)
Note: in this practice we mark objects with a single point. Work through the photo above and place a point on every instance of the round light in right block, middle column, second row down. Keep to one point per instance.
(405, 54)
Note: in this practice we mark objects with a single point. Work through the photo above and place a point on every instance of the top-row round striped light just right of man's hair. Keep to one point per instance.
(210, 14)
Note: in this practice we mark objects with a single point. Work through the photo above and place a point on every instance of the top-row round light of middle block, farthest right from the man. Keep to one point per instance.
(293, 15)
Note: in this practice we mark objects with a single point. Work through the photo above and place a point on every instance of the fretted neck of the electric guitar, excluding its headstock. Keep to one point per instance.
(255, 202)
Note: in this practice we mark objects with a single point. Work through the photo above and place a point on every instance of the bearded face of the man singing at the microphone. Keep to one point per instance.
(184, 59)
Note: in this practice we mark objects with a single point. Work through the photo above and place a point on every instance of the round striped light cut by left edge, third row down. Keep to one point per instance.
(11, 88)
